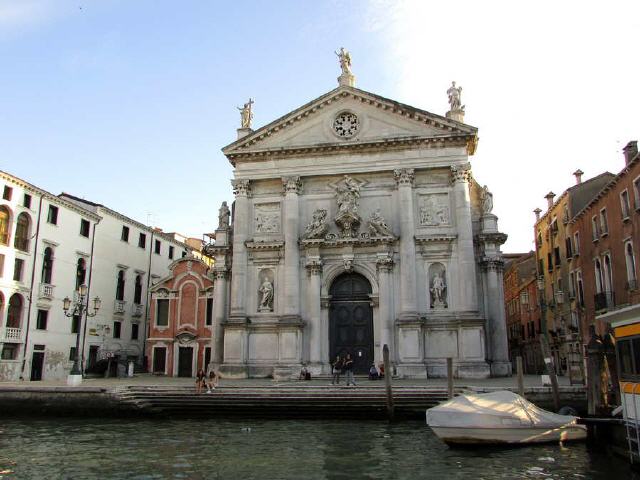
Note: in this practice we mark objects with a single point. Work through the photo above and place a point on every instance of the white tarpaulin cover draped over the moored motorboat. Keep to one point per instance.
(493, 410)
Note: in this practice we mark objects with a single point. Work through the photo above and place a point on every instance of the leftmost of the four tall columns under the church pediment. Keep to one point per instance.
(241, 226)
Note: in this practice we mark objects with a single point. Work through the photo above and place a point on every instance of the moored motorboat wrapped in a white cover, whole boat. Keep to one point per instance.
(500, 417)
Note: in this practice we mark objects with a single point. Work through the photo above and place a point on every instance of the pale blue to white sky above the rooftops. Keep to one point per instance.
(129, 102)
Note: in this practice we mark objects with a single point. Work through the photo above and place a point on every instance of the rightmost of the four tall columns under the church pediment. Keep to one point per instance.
(466, 293)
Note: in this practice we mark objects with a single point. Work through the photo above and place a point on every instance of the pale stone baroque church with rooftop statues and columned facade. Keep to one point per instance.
(356, 224)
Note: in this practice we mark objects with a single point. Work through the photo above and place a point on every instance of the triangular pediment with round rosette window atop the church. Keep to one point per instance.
(316, 125)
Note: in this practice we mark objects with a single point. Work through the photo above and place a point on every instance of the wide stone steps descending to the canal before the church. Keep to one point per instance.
(284, 400)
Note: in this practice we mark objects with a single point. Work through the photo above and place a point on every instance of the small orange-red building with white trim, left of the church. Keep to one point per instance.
(181, 320)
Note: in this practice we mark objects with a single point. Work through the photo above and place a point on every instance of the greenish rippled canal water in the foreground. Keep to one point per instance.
(273, 449)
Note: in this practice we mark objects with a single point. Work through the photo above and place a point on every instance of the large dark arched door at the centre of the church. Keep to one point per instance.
(351, 320)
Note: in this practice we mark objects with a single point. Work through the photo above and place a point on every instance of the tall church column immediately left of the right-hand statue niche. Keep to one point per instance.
(408, 307)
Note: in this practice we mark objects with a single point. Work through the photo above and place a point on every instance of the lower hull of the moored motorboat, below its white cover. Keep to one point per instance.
(509, 436)
